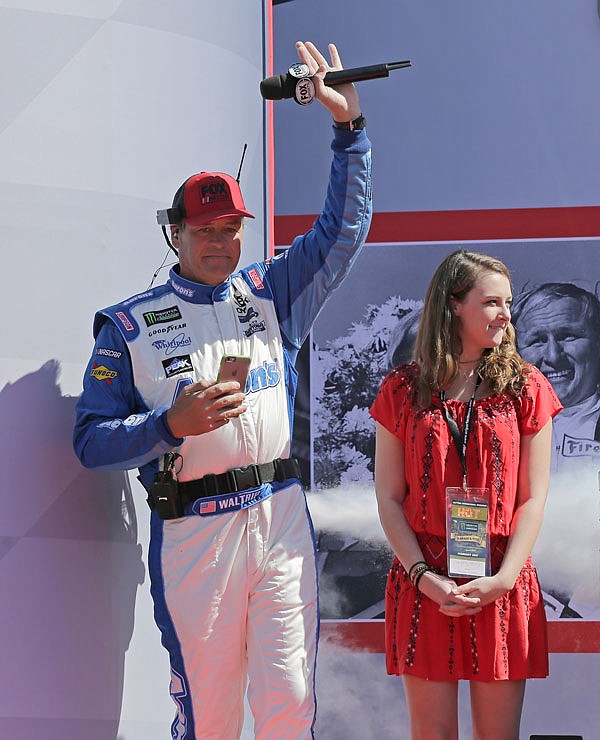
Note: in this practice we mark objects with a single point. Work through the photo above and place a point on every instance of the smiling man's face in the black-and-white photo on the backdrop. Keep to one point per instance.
(556, 339)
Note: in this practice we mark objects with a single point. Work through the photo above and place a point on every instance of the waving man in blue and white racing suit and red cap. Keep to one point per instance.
(233, 573)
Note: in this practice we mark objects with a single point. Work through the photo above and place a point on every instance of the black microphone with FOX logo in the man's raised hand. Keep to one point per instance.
(298, 84)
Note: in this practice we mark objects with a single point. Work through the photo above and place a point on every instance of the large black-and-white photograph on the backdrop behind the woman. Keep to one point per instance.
(369, 326)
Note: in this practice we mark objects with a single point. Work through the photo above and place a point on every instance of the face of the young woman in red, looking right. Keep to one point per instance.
(483, 314)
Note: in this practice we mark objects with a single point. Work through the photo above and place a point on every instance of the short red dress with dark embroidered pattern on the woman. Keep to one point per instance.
(507, 639)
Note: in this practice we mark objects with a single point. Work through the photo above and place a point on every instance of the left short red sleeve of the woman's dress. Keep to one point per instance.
(392, 405)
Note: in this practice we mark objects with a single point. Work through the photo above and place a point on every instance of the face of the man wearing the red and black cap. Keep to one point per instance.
(208, 254)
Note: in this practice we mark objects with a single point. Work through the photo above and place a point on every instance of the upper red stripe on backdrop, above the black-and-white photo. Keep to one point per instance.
(441, 226)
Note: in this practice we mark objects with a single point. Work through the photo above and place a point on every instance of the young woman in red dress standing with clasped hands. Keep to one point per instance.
(489, 628)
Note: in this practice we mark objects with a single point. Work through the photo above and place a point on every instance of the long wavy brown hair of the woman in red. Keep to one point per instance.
(438, 344)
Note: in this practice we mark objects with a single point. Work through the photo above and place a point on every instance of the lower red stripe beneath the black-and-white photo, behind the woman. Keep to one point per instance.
(566, 636)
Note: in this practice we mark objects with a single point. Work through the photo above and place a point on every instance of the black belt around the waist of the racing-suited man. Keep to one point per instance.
(238, 479)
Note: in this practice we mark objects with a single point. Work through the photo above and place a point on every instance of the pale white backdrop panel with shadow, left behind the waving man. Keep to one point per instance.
(107, 107)
